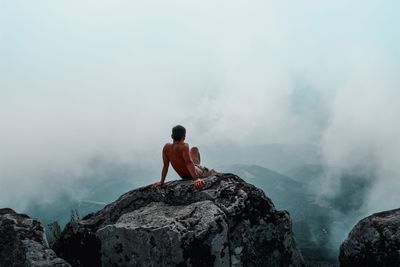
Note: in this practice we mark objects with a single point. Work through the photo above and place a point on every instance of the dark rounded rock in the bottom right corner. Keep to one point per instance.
(374, 241)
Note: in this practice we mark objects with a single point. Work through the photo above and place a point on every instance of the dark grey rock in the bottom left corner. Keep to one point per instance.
(23, 242)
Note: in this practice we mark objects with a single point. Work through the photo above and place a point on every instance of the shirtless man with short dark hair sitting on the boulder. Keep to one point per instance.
(185, 162)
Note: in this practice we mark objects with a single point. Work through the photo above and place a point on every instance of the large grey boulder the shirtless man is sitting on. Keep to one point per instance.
(227, 223)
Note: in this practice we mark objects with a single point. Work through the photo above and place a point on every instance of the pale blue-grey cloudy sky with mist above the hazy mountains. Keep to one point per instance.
(85, 78)
